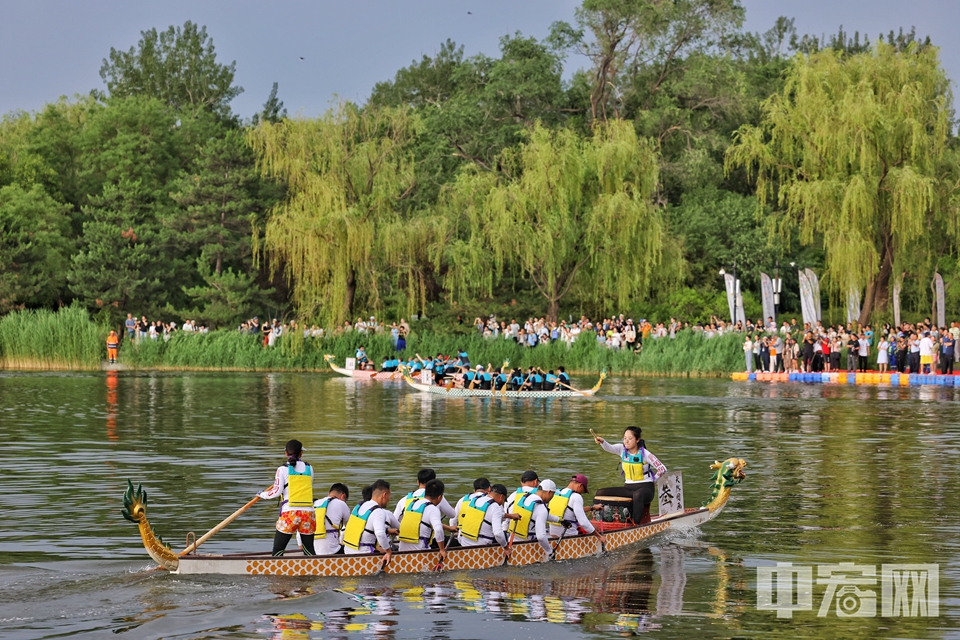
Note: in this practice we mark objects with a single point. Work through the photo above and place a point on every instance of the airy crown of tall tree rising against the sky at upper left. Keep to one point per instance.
(178, 67)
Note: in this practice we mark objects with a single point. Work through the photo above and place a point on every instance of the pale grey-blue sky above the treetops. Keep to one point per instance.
(54, 48)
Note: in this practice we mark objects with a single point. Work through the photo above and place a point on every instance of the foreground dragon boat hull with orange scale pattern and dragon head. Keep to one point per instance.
(618, 535)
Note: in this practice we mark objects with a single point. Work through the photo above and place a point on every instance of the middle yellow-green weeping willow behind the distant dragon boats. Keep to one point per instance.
(565, 208)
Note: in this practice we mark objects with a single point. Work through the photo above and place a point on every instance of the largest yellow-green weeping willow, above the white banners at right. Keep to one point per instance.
(850, 152)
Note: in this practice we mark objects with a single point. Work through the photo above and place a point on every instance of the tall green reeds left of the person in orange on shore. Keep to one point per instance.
(66, 340)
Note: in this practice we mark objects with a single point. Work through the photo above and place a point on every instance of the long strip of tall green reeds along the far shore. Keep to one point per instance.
(68, 340)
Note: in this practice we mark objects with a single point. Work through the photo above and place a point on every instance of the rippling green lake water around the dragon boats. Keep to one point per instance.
(837, 474)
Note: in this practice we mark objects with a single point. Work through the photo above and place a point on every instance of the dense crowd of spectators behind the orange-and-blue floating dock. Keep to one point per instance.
(908, 348)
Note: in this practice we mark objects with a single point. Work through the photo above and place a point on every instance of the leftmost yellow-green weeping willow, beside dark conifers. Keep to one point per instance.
(338, 228)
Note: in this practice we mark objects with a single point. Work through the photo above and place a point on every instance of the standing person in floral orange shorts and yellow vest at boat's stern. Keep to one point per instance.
(294, 481)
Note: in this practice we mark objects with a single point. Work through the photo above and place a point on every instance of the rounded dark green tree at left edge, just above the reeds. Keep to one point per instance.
(34, 247)
